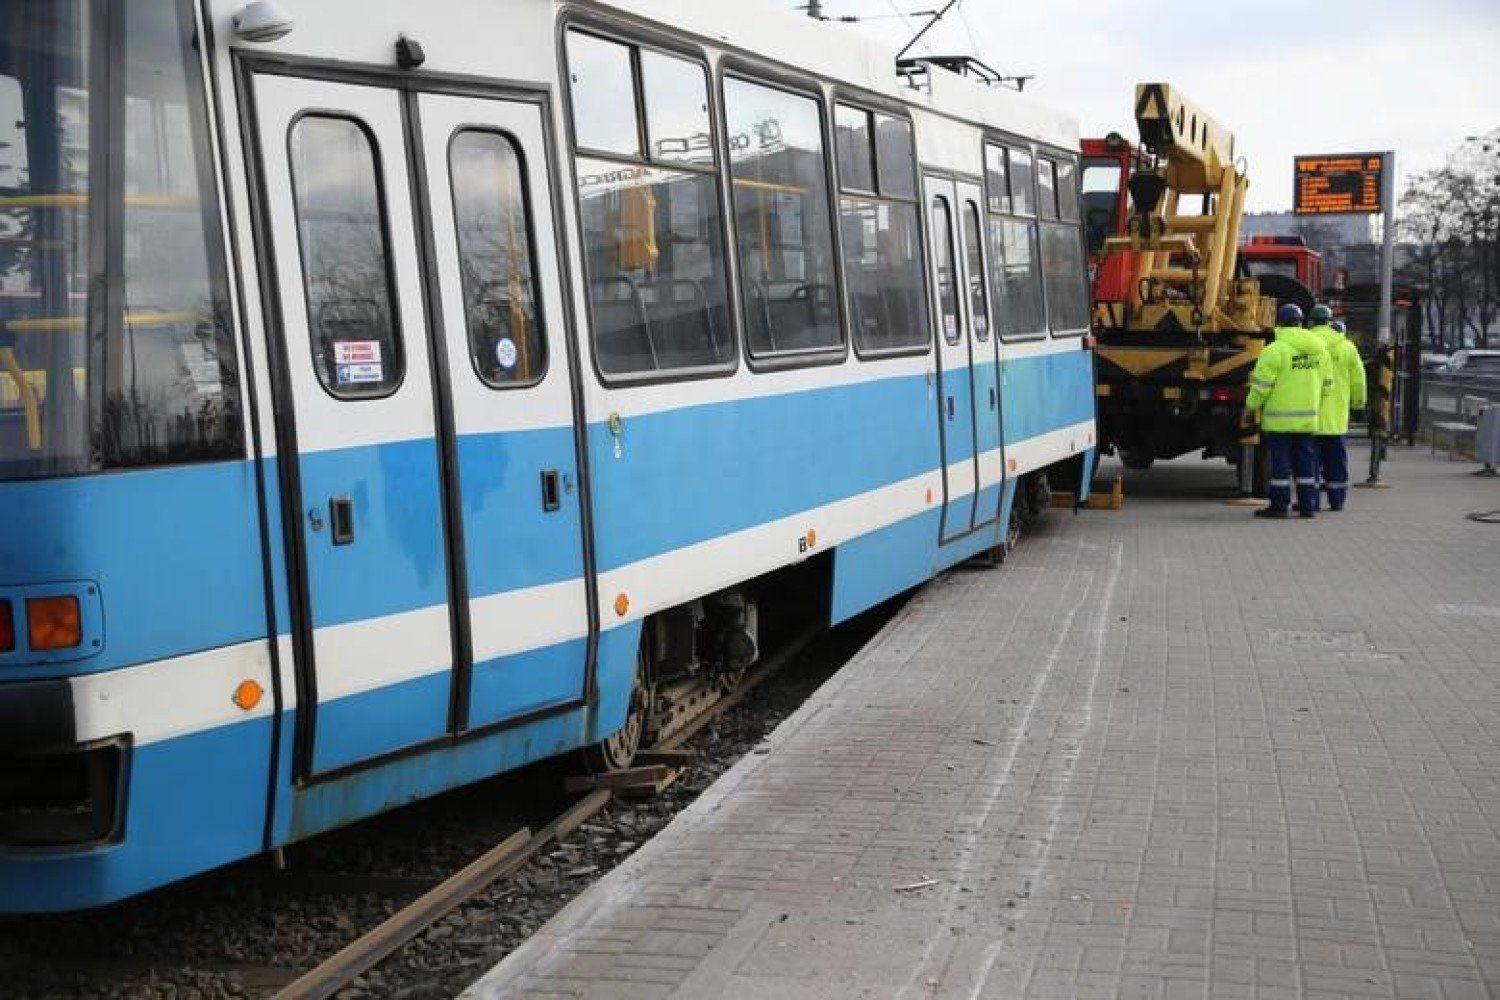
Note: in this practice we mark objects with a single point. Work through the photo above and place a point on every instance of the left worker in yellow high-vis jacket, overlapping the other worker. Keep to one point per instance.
(1286, 391)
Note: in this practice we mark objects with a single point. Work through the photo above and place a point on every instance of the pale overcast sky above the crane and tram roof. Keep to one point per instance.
(1288, 77)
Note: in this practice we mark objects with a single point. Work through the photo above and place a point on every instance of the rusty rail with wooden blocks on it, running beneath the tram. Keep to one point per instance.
(658, 768)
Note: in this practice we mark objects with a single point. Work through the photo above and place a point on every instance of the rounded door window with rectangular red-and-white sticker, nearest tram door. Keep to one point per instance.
(341, 226)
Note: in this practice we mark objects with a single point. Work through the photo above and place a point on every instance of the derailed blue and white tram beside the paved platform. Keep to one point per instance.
(397, 395)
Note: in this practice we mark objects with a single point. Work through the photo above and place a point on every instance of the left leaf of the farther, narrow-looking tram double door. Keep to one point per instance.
(956, 412)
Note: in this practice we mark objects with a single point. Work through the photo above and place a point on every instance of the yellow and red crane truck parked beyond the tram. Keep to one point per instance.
(1181, 310)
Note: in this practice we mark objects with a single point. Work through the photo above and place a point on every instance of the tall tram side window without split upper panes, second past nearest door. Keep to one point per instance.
(782, 220)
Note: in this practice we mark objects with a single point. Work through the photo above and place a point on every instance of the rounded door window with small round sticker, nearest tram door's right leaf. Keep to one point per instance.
(496, 260)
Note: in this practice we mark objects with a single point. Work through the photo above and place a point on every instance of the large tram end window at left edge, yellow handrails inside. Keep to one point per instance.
(115, 332)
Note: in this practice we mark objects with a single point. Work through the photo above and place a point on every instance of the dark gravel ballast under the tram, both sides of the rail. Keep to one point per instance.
(250, 929)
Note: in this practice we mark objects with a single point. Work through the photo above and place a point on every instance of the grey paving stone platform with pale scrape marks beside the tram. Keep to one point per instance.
(1171, 752)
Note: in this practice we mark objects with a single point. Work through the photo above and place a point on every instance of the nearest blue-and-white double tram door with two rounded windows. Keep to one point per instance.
(376, 374)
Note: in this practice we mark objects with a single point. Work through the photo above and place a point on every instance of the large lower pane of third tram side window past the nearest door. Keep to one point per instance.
(884, 272)
